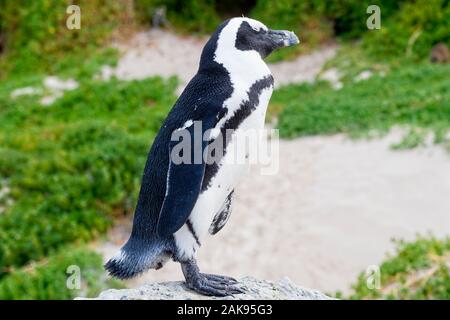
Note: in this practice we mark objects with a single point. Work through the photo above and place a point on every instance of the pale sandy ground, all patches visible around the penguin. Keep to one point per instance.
(329, 212)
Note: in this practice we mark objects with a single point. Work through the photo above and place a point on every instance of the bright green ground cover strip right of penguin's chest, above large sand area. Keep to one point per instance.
(416, 95)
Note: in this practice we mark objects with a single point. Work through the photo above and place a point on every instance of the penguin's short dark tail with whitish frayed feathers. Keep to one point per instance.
(136, 257)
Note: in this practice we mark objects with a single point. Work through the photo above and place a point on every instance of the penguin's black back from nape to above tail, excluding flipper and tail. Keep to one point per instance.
(209, 88)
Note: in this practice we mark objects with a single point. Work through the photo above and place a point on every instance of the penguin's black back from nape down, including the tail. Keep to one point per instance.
(205, 93)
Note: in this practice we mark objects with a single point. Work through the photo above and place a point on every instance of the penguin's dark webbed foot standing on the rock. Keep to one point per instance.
(208, 284)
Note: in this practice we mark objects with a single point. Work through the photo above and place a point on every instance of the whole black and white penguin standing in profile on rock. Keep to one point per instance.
(179, 204)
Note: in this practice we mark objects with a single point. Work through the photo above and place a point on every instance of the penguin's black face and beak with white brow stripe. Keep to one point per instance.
(254, 35)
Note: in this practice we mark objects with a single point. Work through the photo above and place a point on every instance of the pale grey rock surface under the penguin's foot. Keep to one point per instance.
(255, 289)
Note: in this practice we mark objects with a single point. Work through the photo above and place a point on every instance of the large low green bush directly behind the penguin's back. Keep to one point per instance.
(73, 165)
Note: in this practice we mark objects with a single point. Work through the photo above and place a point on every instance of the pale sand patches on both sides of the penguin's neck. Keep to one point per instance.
(161, 53)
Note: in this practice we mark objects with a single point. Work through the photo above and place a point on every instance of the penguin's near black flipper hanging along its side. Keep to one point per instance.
(184, 180)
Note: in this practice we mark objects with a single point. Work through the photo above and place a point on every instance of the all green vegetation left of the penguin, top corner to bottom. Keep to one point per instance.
(73, 166)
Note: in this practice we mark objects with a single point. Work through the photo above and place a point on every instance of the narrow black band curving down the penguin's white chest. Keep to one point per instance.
(245, 109)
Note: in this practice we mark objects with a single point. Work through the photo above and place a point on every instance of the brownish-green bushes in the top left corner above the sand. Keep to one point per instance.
(36, 38)
